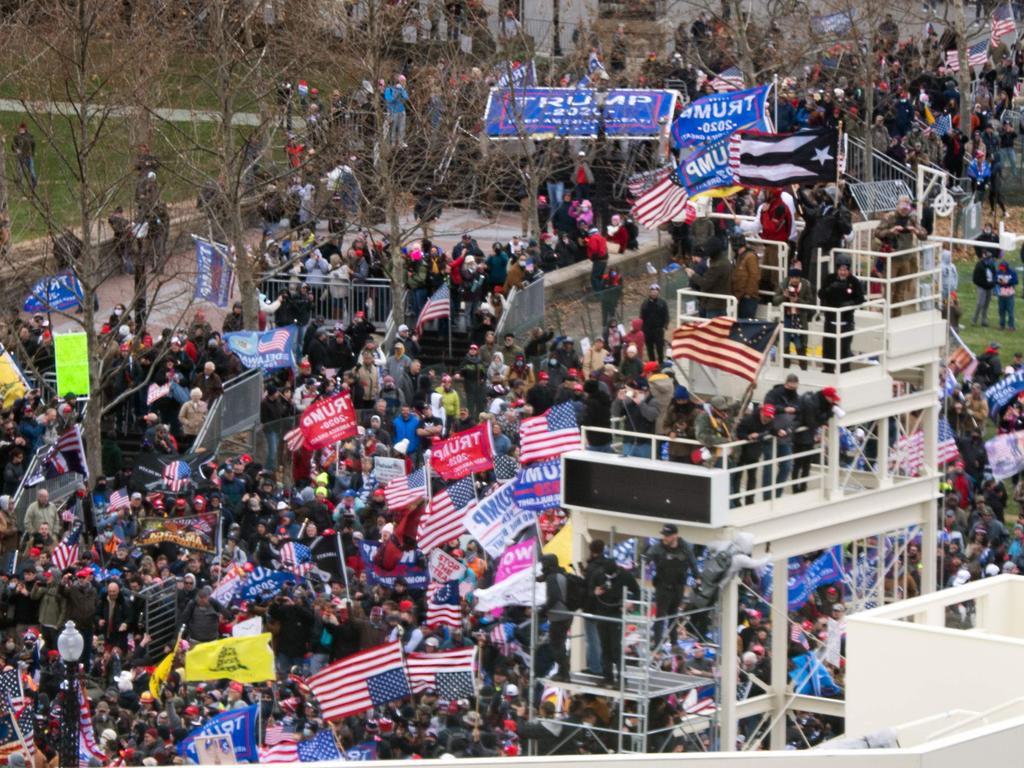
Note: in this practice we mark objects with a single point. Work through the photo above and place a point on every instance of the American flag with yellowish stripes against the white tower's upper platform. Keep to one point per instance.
(735, 347)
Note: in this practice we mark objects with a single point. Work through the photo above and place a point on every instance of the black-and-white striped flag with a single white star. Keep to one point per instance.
(782, 159)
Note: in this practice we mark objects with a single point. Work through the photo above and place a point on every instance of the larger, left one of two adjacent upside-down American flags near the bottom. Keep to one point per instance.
(359, 682)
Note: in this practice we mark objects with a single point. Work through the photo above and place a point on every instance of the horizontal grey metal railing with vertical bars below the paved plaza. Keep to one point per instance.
(336, 301)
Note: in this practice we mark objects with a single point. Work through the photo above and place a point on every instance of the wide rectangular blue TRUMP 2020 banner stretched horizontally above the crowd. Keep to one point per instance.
(574, 113)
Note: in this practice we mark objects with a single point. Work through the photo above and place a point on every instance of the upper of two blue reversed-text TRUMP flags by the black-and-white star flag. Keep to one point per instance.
(720, 115)
